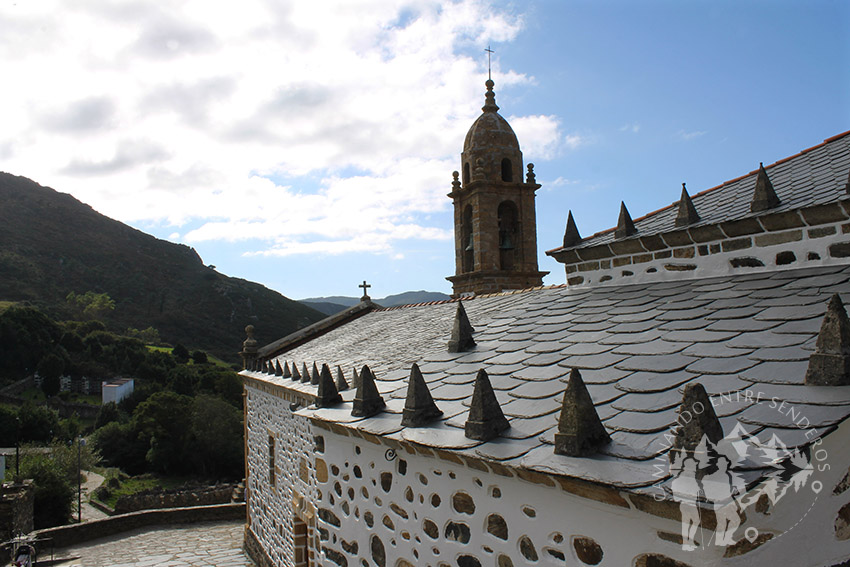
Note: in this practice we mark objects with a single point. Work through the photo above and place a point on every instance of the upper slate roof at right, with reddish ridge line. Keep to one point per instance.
(815, 176)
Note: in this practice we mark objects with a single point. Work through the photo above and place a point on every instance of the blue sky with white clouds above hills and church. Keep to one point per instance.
(309, 147)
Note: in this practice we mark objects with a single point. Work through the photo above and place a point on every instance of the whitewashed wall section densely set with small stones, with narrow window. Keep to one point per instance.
(273, 511)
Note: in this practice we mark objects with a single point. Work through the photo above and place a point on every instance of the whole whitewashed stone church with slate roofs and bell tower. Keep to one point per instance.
(681, 401)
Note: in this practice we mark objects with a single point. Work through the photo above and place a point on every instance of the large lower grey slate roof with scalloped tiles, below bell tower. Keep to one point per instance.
(637, 346)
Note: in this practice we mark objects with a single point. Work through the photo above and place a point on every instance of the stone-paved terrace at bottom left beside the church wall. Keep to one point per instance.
(216, 544)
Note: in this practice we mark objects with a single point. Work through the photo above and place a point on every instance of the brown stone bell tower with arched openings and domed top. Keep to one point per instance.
(495, 221)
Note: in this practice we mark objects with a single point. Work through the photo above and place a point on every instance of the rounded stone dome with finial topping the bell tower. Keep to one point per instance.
(491, 145)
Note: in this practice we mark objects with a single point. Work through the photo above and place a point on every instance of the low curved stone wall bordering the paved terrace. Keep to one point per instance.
(64, 536)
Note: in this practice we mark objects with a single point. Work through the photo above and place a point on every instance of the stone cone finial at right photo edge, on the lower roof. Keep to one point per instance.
(829, 365)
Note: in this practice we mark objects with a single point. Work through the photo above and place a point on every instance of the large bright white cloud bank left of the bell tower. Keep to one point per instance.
(250, 117)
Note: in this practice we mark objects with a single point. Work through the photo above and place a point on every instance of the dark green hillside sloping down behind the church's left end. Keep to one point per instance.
(52, 244)
